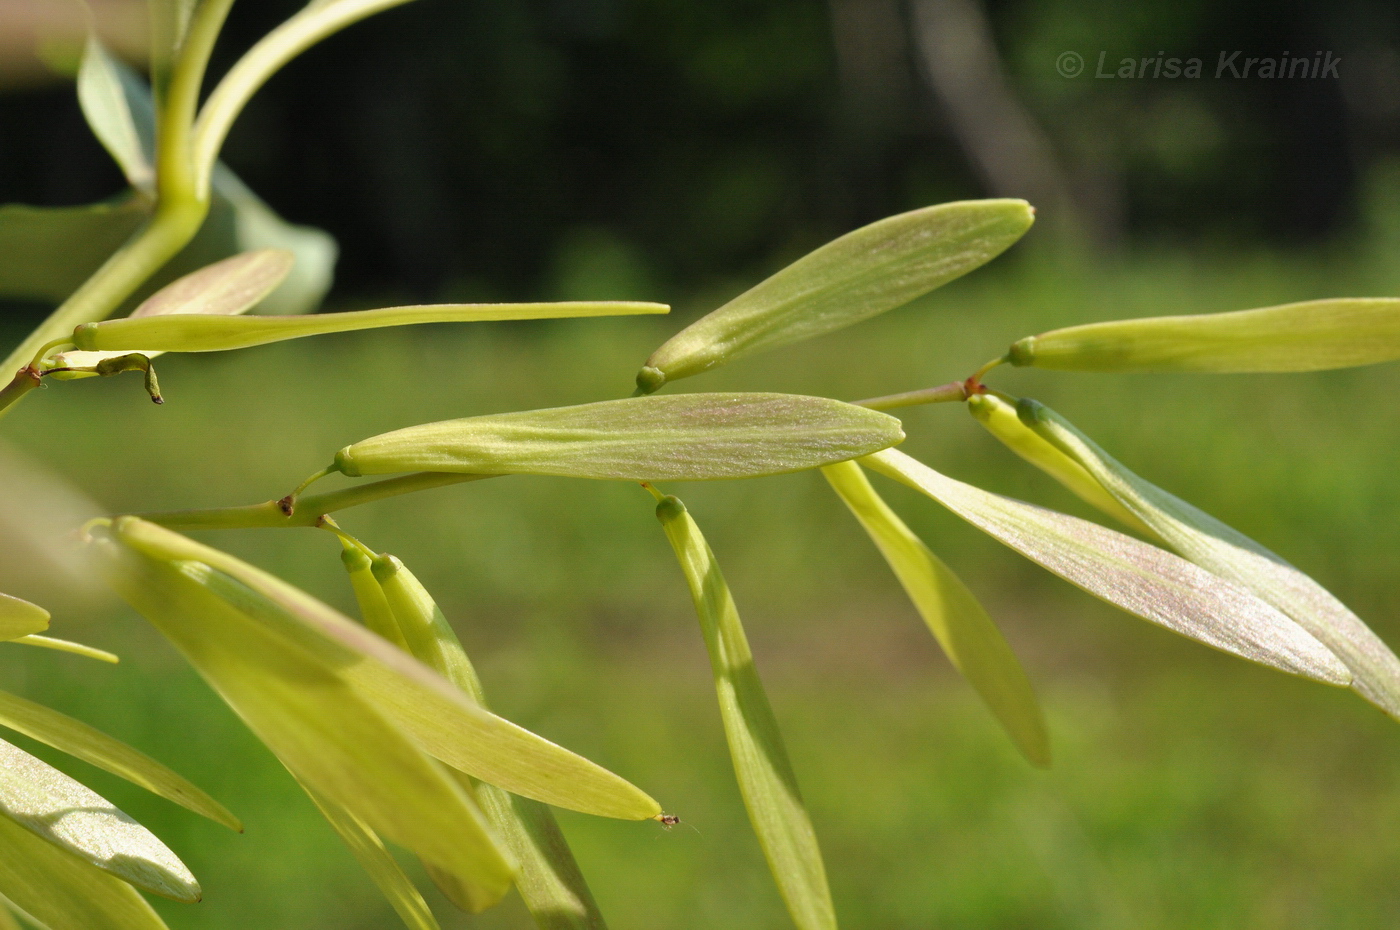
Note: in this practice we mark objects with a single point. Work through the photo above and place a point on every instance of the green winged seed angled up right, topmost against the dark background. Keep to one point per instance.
(863, 274)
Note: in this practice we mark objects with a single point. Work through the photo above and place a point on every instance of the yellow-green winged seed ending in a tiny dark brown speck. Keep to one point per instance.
(440, 719)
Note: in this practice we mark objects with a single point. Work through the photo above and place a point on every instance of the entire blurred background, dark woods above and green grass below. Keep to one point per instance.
(680, 152)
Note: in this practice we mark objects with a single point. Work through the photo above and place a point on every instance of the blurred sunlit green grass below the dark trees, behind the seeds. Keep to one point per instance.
(1189, 791)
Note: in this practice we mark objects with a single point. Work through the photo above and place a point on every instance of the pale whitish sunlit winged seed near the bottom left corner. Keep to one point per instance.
(68, 814)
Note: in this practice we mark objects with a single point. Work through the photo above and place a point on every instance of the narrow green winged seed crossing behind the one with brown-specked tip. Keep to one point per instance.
(549, 879)
